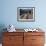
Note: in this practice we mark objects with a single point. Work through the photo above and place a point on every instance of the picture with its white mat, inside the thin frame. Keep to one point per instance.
(26, 13)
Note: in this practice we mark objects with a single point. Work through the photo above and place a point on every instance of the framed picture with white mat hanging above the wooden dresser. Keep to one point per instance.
(26, 14)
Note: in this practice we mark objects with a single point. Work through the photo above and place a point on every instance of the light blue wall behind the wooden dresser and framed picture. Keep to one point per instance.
(9, 13)
